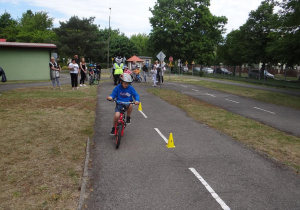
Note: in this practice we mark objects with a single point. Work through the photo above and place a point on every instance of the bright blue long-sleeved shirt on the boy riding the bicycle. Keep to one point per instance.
(125, 95)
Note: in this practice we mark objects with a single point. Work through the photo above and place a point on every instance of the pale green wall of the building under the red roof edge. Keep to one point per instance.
(25, 63)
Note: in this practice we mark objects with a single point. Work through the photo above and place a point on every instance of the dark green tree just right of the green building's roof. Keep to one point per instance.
(80, 36)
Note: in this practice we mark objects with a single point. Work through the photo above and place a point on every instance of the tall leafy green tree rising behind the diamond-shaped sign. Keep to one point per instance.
(186, 29)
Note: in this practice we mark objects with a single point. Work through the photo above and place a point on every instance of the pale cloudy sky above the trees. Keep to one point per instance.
(129, 16)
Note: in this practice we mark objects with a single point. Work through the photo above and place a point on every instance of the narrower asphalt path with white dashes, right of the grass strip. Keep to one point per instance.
(282, 118)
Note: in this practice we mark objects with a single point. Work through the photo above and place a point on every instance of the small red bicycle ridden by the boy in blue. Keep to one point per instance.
(121, 124)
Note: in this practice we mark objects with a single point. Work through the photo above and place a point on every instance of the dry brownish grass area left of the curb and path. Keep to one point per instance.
(42, 146)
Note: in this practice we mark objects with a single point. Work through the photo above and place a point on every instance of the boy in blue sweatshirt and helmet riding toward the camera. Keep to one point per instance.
(124, 92)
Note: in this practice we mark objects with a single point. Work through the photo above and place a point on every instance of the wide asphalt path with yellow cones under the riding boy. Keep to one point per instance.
(205, 170)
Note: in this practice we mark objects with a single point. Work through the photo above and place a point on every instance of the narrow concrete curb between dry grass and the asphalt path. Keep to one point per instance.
(85, 176)
